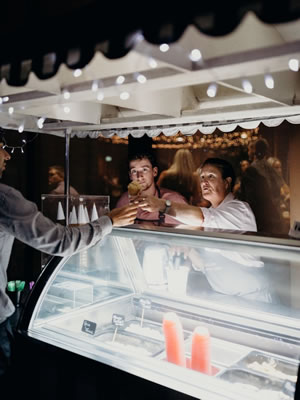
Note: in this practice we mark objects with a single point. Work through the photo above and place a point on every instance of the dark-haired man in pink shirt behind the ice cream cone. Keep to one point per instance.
(143, 169)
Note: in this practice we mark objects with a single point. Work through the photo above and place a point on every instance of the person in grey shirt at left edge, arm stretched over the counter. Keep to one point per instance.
(21, 219)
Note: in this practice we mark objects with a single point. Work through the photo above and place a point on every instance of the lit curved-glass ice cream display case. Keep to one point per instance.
(214, 315)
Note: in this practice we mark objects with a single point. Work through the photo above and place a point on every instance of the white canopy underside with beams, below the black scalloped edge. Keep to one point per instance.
(165, 91)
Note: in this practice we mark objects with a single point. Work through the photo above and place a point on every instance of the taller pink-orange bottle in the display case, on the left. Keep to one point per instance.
(174, 339)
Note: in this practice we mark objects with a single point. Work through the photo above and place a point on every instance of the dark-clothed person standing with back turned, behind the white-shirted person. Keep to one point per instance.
(260, 188)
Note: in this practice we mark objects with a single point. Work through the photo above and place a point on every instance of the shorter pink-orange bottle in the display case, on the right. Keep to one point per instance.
(201, 351)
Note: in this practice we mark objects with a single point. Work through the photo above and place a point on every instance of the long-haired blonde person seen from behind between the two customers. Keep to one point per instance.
(183, 178)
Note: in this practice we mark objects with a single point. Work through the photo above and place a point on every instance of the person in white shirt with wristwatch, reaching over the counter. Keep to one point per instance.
(217, 180)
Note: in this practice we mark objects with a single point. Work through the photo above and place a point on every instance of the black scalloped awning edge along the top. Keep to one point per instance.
(70, 32)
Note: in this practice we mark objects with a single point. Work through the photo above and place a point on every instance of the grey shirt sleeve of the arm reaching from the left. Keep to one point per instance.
(21, 218)
